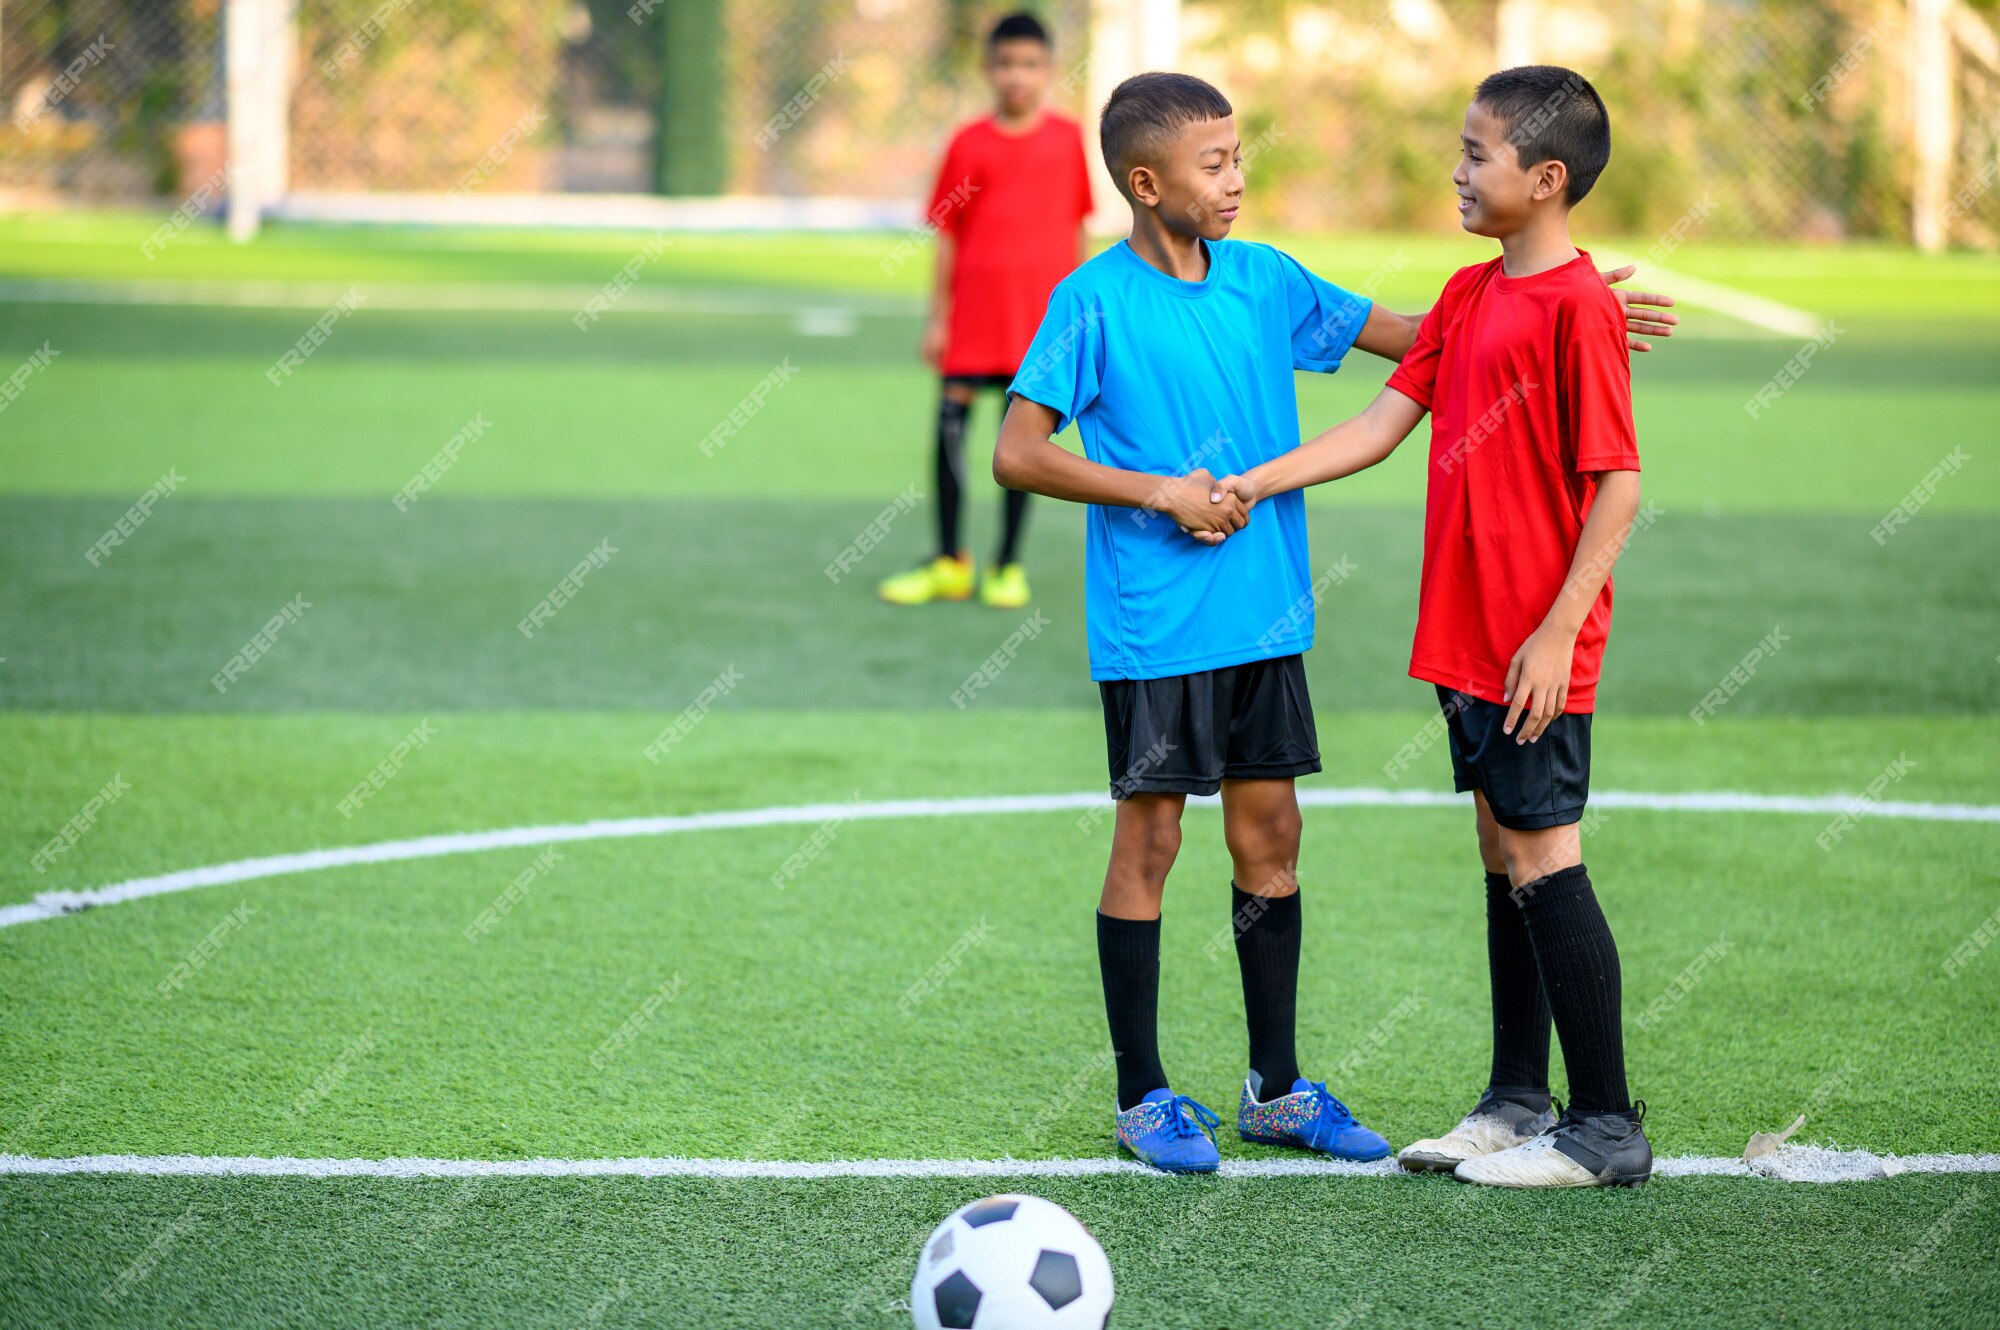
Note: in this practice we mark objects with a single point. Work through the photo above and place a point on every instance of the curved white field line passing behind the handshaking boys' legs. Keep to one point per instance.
(51, 905)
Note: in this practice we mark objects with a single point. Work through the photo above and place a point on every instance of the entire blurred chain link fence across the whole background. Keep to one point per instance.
(1763, 117)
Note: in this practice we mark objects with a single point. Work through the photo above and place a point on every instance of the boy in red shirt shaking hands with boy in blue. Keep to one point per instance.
(1533, 493)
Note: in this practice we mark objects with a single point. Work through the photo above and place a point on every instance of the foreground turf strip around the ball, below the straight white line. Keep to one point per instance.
(1185, 1253)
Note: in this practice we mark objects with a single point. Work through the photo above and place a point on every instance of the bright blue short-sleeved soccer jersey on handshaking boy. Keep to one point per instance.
(1169, 377)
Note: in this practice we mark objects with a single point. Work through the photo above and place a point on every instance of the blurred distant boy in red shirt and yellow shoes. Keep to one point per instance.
(1009, 207)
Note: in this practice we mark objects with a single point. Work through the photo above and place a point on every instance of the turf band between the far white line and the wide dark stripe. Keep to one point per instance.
(631, 409)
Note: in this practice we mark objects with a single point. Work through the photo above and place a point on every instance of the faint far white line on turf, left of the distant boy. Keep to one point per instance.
(441, 297)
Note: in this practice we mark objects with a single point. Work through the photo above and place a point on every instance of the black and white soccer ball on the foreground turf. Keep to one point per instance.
(1011, 1263)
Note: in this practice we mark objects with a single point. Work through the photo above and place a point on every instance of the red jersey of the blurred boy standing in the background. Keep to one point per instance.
(1015, 205)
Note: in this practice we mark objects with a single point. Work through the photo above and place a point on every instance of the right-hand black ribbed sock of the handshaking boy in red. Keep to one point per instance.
(1579, 961)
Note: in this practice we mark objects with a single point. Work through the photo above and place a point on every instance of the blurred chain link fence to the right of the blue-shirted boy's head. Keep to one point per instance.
(1763, 117)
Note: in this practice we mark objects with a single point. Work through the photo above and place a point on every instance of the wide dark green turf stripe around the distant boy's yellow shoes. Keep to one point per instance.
(419, 611)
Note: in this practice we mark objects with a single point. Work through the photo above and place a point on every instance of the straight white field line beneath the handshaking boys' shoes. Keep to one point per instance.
(255, 1167)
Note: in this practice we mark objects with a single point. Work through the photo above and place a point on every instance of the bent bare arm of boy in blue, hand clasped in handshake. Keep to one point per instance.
(1025, 459)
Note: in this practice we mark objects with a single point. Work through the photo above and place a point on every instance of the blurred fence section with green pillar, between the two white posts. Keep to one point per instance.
(805, 97)
